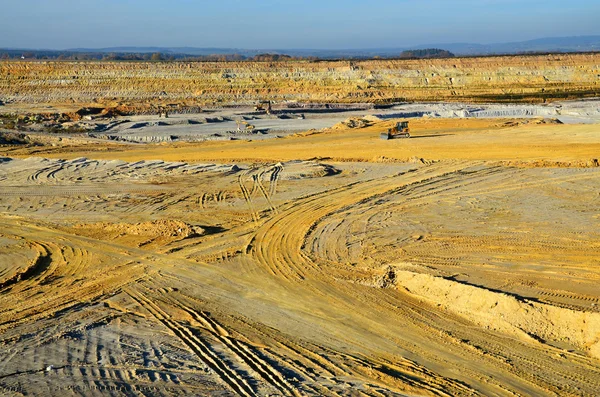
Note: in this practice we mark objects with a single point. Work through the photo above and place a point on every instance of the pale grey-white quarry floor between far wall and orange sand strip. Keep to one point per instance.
(221, 124)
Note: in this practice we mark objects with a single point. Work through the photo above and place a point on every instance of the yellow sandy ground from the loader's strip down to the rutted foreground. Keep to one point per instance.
(463, 261)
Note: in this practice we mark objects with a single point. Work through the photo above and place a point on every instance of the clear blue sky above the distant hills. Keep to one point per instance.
(333, 24)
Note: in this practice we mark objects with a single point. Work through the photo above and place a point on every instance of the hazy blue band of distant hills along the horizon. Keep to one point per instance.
(549, 44)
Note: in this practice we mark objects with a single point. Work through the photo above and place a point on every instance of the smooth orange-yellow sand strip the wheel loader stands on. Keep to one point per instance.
(432, 139)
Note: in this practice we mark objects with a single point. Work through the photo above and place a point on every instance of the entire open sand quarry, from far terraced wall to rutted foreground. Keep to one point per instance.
(323, 261)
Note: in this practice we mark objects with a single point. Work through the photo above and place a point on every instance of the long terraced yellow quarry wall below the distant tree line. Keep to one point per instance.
(511, 78)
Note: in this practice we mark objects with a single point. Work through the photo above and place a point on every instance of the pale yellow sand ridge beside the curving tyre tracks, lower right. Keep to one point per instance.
(502, 312)
